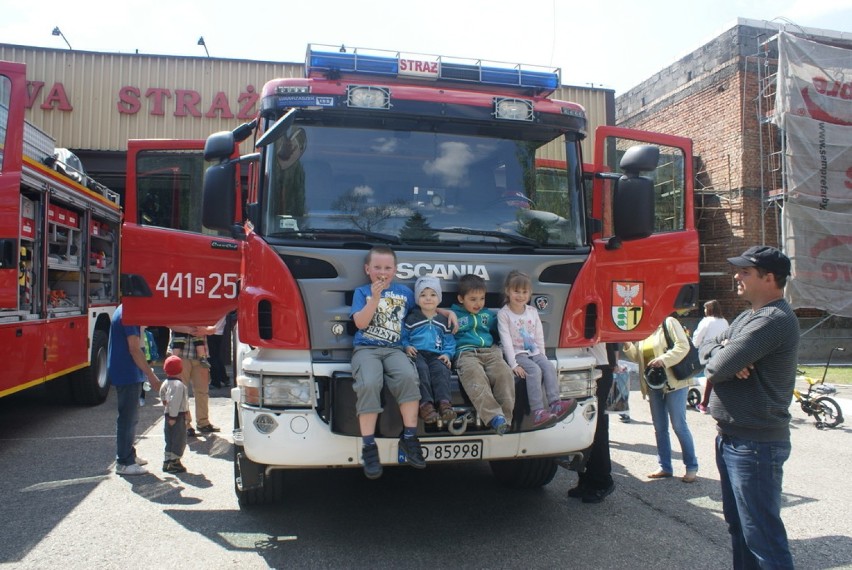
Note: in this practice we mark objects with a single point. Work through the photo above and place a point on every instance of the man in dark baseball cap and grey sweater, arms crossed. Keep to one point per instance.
(752, 365)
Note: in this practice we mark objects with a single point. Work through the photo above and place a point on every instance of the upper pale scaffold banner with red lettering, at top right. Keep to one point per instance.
(814, 80)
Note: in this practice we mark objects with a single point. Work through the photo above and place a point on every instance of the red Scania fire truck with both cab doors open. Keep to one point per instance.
(435, 157)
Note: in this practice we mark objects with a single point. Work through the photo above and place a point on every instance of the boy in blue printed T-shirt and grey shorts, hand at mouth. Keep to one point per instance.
(378, 310)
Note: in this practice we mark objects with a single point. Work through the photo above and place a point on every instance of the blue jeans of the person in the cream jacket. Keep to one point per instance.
(672, 406)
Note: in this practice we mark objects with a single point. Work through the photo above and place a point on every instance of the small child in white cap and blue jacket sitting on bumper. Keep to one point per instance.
(429, 341)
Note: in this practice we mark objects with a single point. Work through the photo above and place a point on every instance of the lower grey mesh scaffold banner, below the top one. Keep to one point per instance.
(817, 215)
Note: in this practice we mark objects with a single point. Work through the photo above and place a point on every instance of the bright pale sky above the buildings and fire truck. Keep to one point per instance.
(612, 44)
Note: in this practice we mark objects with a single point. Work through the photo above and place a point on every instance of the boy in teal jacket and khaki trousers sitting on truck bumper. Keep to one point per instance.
(484, 374)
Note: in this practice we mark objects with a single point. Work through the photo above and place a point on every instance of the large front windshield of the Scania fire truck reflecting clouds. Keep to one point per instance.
(407, 187)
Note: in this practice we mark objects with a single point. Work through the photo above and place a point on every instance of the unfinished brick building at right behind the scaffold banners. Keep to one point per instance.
(722, 95)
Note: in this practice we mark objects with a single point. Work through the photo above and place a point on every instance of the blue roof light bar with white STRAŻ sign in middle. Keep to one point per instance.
(329, 61)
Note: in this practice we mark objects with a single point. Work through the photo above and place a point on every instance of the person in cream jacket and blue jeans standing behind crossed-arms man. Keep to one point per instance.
(666, 394)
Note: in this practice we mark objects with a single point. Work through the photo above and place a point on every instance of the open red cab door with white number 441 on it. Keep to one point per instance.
(174, 271)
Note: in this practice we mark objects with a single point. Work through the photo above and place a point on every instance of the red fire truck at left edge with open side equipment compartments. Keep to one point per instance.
(59, 233)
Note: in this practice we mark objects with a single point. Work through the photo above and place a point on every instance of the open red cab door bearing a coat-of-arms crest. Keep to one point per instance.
(644, 258)
